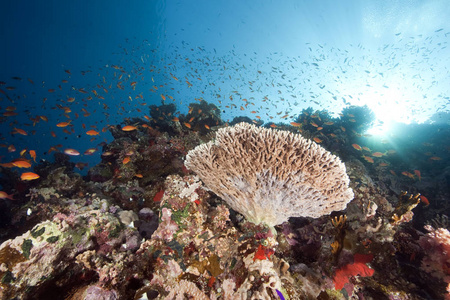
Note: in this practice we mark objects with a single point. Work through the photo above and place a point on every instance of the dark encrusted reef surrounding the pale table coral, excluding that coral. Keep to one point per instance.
(141, 223)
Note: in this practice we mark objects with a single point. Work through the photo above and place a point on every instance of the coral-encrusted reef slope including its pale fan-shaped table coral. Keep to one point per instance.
(219, 210)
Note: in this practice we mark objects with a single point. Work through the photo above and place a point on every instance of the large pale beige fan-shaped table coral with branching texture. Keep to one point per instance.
(270, 175)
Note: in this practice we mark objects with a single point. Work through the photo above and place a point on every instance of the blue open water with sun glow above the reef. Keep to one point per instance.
(260, 59)
